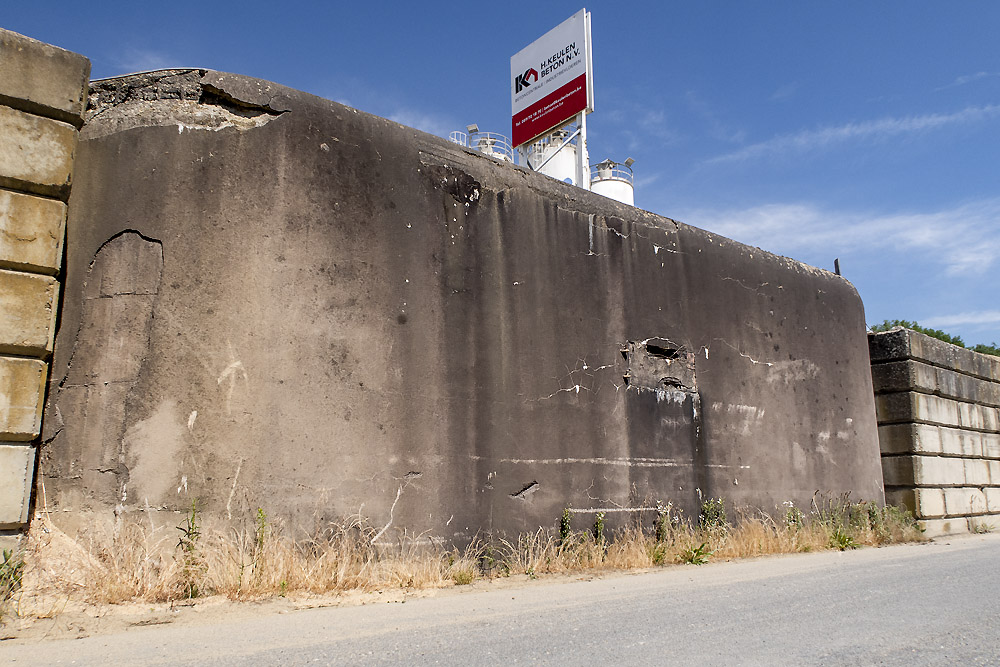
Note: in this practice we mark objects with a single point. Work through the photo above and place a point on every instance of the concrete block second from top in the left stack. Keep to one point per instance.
(35, 153)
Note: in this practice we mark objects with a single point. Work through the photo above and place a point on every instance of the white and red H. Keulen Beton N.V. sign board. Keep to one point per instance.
(552, 79)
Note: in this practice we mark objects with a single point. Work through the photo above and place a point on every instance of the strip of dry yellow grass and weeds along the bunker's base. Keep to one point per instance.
(135, 561)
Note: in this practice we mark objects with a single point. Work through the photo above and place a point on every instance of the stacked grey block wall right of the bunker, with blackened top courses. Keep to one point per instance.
(939, 429)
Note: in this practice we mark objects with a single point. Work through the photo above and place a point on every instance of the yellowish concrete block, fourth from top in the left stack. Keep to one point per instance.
(27, 312)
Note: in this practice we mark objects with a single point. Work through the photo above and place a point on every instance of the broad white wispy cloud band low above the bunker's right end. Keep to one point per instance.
(964, 239)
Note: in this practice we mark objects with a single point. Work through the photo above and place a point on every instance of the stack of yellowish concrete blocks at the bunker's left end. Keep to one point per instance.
(42, 99)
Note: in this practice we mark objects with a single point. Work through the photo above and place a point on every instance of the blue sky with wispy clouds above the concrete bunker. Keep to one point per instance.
(868, 131)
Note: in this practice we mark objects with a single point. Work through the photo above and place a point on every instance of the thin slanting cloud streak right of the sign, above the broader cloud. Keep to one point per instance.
(826, 137)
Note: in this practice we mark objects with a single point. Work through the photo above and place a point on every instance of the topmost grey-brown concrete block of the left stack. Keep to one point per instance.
(51, 80)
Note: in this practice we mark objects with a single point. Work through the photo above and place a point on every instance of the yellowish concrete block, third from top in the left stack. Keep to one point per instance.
(31, 232)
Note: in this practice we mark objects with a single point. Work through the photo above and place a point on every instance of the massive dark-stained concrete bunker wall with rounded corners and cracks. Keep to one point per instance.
(274, 300)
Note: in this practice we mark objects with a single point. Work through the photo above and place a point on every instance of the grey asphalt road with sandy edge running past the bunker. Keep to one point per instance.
(931, 604)
